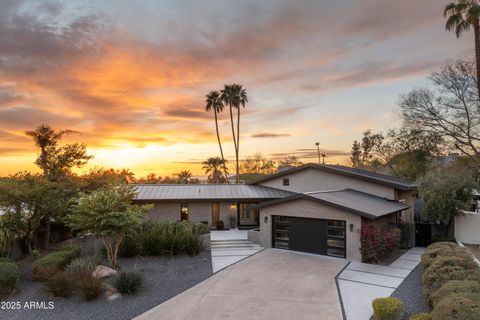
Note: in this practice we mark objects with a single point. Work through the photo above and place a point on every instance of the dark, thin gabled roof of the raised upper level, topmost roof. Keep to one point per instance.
(353, 172)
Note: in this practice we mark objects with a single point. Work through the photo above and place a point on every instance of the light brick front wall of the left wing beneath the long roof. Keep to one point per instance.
(198, 211)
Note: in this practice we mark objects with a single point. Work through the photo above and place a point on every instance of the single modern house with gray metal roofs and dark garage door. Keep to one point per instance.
(312, 208)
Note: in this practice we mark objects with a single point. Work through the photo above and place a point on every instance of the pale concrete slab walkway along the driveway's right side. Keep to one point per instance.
(360, 283)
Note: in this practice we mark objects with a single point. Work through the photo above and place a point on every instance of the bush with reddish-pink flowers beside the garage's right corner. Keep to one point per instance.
(377, 244)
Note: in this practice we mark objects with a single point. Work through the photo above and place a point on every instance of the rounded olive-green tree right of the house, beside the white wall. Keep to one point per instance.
(446, 194)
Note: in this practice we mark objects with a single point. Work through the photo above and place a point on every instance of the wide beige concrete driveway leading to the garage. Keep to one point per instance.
(272, 284)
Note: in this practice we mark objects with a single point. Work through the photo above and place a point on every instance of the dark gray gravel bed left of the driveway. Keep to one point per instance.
(164, 277)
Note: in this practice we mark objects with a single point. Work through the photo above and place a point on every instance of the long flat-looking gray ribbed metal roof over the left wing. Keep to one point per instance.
(158, 192)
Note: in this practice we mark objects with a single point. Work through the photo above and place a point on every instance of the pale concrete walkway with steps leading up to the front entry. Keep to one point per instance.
(229, 247)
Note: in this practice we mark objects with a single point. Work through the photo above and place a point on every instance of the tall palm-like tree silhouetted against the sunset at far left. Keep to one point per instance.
(45, 137)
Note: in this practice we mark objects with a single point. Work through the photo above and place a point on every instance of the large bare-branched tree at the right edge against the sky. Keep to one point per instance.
(450, 110)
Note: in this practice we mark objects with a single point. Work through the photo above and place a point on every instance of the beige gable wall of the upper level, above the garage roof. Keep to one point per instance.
(316, 180)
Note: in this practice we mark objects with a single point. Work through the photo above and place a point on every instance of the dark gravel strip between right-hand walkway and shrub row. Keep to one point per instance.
(411, 293)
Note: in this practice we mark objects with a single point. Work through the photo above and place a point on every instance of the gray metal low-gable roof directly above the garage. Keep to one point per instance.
(364, 204)
